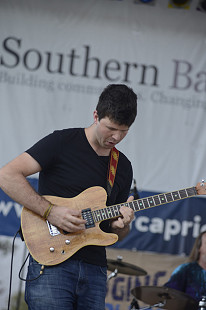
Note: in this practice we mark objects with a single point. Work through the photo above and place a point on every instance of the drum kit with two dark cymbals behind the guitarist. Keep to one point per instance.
(161, 297)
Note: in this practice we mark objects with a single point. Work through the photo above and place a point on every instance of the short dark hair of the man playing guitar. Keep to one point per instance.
(118, 102)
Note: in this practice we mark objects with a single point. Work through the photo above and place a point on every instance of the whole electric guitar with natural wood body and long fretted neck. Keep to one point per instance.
(50, 246)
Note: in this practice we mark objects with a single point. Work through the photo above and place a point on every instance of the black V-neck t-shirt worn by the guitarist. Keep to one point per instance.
(69, 166)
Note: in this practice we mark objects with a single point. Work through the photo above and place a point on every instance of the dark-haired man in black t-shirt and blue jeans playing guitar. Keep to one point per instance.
(69, 161)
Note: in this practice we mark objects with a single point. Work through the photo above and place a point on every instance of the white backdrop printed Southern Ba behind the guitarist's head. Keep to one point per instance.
(167, 142)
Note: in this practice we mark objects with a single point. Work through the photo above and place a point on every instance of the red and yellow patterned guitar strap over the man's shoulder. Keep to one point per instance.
(112, 168)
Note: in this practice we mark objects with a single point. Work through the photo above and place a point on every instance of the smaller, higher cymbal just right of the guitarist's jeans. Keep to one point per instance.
(125, 268)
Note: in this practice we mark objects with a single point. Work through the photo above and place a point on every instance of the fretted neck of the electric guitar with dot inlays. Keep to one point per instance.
(143, 204)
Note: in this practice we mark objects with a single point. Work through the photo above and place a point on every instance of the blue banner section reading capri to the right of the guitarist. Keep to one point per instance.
(169, 228)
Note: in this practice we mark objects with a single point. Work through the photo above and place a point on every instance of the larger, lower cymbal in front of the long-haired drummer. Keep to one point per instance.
(172, 298)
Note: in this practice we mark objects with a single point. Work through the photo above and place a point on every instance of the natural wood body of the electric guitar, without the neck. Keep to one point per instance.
(39, 241)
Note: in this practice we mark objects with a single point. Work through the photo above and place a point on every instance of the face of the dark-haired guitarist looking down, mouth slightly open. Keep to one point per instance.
(109, 133)
